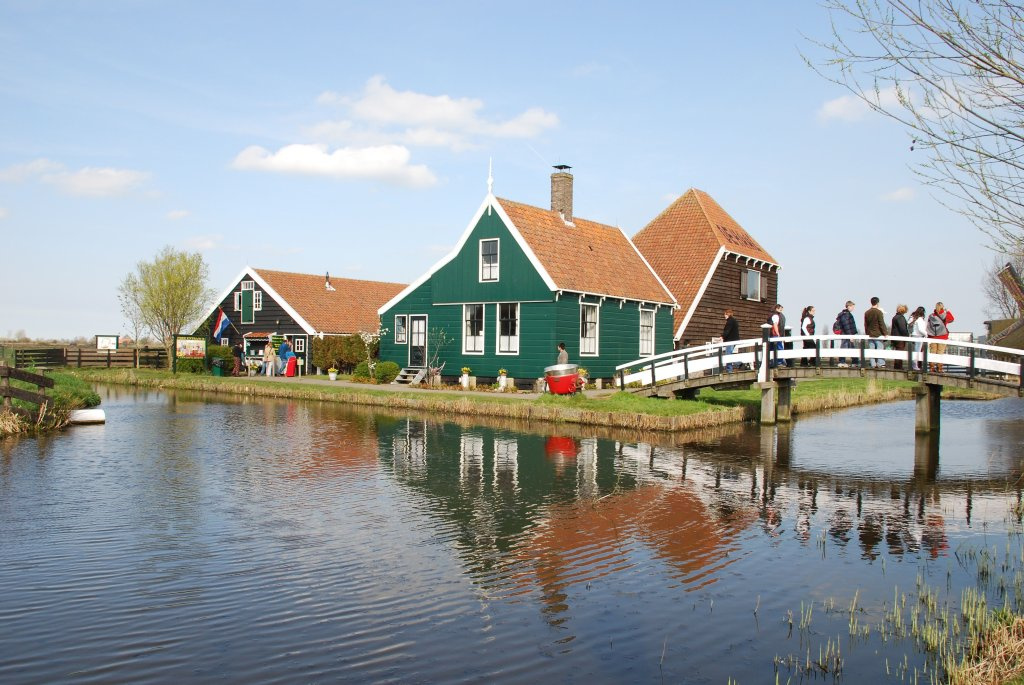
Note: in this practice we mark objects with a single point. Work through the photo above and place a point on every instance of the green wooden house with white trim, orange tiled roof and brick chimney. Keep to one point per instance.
(522, 280)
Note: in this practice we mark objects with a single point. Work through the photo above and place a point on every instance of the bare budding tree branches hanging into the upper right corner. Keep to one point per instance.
(952, 73)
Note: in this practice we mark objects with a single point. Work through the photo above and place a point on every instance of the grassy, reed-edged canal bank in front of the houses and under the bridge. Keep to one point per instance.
(617, 410)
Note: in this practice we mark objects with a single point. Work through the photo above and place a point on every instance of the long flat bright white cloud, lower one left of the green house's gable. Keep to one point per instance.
(388, 163)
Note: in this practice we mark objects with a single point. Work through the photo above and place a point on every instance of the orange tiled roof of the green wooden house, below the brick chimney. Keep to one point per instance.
(586, 258)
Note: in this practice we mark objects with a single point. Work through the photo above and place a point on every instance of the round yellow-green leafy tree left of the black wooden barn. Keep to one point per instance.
(170, 292)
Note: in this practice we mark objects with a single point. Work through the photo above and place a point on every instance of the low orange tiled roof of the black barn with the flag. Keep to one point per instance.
(351, 308)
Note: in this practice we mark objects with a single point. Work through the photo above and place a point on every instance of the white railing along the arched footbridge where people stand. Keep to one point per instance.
(717, 359)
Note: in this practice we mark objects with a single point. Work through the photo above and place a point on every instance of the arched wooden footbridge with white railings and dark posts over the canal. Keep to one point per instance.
(740, 364)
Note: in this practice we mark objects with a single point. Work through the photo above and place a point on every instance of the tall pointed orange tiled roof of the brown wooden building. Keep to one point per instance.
(682, 245)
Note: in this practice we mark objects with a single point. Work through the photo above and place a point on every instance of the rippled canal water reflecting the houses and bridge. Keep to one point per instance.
(202, 540)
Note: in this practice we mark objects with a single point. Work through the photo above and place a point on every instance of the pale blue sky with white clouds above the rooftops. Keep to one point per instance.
(355, 139)
